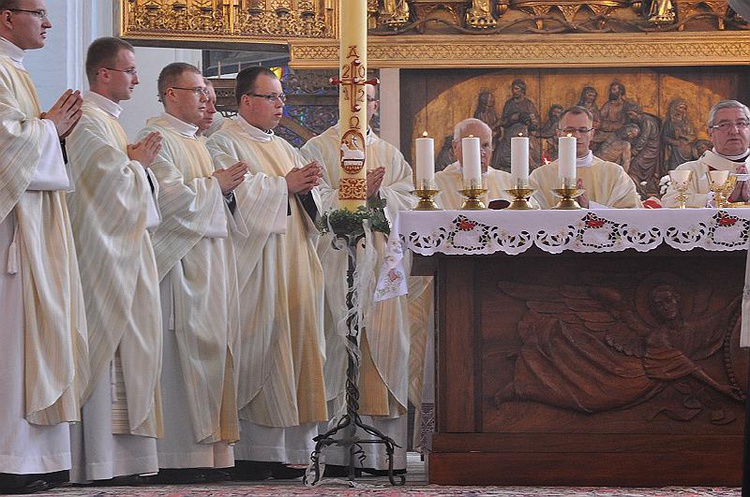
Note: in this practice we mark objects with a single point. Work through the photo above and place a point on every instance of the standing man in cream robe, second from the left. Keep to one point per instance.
(111, 209)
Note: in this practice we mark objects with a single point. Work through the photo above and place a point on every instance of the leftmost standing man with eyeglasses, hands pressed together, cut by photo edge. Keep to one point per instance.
(43, 359)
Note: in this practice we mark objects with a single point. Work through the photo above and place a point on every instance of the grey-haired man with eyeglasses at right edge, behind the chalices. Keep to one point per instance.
(729, 131)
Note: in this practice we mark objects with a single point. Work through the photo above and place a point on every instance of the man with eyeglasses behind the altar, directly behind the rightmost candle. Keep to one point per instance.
(606, 184)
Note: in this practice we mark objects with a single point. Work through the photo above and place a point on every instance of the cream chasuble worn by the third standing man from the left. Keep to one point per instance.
(200, 265)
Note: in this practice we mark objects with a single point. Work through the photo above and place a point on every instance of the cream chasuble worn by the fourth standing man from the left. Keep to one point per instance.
(280, 281)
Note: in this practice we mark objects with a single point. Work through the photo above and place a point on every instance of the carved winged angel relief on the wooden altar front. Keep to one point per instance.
(591, 349)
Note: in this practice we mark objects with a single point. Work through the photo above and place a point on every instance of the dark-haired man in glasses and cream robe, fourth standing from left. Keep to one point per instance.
(281, 392)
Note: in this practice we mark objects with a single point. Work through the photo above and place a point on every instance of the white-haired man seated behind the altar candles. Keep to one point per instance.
(450, 180)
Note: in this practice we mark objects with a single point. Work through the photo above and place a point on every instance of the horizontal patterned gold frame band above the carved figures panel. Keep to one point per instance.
(674, 49)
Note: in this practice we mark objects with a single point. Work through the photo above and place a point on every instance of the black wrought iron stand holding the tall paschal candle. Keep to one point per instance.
(349, 422)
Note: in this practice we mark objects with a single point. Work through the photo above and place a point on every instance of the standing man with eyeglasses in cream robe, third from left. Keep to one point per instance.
(196, 267)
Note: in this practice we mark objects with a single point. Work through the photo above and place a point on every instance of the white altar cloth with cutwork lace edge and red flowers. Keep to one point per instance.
(464, 232)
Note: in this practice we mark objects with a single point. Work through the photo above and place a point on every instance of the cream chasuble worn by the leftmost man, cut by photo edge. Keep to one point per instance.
(42, 252)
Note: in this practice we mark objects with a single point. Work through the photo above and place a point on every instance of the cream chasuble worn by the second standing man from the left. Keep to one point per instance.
(118, 270)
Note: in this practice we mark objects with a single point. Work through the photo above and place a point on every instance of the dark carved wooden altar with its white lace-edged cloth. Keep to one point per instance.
(590, 347)
